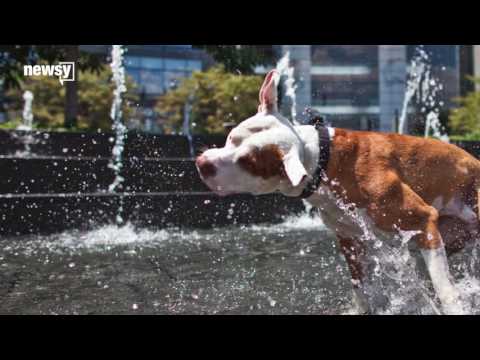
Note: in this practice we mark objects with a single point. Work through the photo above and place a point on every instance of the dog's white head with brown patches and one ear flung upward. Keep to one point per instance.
(262, 154)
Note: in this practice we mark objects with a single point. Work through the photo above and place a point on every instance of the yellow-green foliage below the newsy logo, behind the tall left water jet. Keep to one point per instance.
(95, 96)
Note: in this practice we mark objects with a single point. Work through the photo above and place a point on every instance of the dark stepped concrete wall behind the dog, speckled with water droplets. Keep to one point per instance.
(64, 184)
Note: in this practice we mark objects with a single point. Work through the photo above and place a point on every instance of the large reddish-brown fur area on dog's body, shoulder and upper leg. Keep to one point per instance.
(397, 178)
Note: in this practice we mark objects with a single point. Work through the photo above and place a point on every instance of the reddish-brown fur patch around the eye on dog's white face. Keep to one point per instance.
(265, 162)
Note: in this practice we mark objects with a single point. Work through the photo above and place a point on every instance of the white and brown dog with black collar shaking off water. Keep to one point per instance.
(400, 182)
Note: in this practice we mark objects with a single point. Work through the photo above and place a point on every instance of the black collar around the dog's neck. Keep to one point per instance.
(323, 157)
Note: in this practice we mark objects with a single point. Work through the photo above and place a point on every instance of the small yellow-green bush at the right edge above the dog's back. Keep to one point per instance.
(465, 120)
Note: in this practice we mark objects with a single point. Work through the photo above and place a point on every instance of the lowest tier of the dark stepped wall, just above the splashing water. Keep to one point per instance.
(44, 214)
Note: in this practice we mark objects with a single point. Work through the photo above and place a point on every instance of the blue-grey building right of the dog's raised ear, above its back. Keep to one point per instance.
(363, 86)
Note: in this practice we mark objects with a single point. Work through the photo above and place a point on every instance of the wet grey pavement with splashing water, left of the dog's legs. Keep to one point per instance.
(271, 269)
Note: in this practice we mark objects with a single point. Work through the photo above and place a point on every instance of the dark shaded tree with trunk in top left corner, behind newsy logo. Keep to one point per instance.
(14, 57)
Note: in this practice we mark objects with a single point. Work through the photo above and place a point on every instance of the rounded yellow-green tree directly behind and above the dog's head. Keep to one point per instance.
(216, 97)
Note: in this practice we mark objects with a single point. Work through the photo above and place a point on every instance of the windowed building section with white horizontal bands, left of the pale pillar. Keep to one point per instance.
(345, 84)
